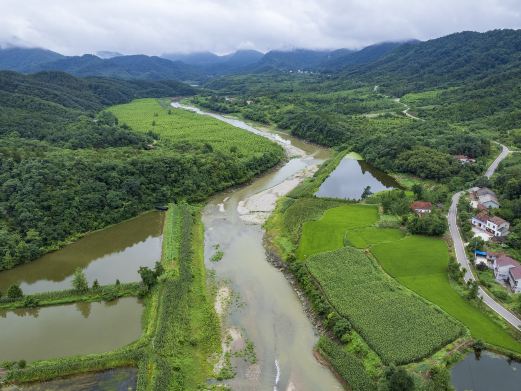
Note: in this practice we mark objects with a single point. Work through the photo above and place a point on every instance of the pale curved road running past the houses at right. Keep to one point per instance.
(461, 255)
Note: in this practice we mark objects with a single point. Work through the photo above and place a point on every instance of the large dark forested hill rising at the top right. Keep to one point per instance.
(465, 56)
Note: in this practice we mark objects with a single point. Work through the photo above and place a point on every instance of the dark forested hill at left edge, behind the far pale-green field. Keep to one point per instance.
(48, 105)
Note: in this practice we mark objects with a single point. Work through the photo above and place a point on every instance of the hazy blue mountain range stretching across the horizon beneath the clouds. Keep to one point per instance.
(417, 64)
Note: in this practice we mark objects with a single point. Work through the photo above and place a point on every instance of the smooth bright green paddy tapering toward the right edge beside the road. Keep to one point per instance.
(420, 263)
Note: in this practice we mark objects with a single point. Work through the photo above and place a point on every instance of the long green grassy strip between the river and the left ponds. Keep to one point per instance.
(187, 329)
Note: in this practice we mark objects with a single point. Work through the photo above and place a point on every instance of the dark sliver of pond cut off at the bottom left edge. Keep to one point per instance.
(119, 379)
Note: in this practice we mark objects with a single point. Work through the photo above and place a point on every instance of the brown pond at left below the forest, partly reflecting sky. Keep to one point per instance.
(113, 253)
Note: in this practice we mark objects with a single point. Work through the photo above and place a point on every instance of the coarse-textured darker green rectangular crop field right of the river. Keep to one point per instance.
(395, 323)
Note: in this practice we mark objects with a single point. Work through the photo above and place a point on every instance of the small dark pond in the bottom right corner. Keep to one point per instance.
(490, 372)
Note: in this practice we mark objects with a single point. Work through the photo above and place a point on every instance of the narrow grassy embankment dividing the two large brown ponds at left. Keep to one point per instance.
(103, 293)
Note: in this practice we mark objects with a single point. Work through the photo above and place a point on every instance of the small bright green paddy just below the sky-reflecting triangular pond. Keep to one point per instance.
(327, 233)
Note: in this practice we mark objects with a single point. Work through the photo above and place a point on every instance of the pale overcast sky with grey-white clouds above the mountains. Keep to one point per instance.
(160, 26)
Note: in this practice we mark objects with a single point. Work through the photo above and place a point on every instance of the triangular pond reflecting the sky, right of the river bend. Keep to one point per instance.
(352, 176)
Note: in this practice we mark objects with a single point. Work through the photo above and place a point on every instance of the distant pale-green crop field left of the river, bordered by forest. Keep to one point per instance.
(181, 126)
